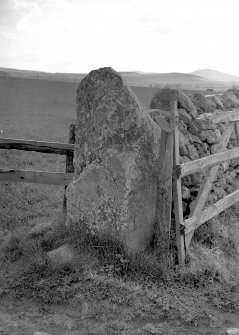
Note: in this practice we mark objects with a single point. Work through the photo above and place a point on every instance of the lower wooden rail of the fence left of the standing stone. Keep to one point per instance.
(38, 177)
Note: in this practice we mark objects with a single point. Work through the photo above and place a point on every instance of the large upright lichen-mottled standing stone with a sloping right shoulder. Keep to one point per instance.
(114, 192)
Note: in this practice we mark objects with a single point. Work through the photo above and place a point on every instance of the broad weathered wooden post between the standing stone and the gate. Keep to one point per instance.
(164, 205)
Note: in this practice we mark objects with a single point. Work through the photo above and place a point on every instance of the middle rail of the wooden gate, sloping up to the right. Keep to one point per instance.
(205, 162)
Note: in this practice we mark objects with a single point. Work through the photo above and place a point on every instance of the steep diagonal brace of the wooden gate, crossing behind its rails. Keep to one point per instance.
(207, 183)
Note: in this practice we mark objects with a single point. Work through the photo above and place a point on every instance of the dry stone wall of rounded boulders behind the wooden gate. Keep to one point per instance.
(200, 137)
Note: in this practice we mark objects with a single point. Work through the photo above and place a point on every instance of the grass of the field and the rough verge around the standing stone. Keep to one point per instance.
(141, 285)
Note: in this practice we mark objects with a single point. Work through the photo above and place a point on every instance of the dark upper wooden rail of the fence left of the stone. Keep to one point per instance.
(38, 146)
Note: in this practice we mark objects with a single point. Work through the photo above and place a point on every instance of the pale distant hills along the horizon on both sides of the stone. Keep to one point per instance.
(181, 81)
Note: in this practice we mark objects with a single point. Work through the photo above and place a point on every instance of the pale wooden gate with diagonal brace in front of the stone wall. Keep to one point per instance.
(198, 215)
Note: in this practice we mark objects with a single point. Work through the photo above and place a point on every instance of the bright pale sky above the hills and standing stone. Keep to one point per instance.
(78, 36)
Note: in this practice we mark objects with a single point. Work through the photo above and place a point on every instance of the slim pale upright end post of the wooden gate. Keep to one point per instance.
(177, 189)
